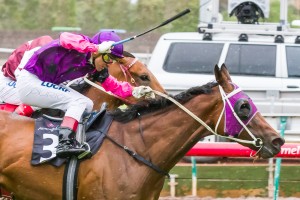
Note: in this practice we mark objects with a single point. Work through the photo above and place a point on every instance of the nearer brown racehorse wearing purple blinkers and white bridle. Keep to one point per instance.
(158, 130)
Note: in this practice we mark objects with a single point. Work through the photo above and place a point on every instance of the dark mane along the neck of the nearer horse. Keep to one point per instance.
(151, 105)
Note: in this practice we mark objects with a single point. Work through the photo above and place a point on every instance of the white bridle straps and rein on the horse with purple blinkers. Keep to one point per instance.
(257, 142)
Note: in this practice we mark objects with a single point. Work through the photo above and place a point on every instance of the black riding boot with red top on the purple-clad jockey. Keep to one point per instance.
(68, 145)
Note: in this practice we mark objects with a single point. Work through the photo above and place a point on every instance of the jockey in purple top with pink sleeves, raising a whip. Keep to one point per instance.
(68, 58)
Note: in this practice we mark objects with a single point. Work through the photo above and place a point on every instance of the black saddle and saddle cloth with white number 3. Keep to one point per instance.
(91, 135)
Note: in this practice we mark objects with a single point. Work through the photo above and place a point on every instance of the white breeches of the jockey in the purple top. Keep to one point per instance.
(42, 94)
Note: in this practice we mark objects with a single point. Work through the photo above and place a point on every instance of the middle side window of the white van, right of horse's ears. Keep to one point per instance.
(248, 59)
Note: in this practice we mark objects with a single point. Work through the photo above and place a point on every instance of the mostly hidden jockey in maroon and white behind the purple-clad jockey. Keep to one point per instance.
(18, 59)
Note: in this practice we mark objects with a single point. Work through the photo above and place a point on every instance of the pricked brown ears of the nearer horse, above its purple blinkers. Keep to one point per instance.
(223, 77)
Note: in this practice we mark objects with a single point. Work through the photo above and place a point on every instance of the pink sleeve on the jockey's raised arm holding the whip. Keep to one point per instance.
(77, 42)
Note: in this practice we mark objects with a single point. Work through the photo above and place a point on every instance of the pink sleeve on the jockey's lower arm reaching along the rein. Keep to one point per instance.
(119, 88)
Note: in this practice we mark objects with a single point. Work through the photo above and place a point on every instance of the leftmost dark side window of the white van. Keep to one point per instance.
(193, 57)
